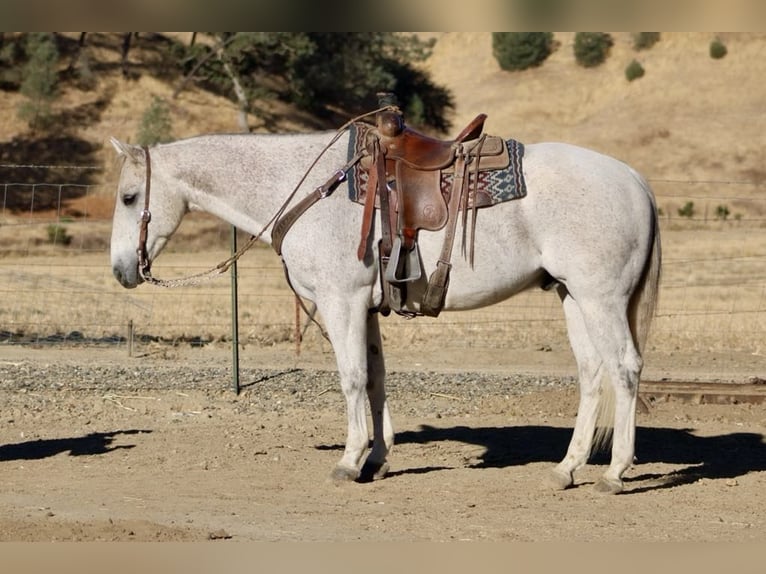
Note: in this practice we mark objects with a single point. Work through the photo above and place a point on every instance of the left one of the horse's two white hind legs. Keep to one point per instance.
(589, 367)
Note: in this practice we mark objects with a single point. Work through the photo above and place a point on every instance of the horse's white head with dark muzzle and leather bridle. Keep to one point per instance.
(162, 212)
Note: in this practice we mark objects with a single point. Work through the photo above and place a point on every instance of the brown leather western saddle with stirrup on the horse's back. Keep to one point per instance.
(406, 173)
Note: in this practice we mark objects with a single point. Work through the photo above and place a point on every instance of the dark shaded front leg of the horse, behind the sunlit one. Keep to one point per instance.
(376, 465)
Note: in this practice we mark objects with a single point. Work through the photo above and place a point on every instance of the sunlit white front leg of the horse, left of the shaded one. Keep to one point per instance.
(346, 322)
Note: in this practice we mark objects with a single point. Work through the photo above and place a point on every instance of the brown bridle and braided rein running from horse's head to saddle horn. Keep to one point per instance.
(144, 264)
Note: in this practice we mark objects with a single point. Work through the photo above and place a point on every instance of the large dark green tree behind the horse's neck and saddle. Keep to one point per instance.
(330, 75)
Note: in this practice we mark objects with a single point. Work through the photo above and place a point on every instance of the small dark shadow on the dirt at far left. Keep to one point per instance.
(91, 444)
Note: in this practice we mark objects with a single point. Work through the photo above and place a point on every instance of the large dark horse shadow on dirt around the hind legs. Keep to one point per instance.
(698, 457)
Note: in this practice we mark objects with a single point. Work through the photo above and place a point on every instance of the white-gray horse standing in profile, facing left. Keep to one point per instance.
(588, 222)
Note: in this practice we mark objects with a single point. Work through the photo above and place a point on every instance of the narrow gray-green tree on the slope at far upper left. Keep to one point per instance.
(40, 79)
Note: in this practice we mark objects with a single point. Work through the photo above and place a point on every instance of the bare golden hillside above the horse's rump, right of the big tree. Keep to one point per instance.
(689, 117)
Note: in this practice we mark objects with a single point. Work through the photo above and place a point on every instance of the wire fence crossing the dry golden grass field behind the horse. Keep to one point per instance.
(58, 287)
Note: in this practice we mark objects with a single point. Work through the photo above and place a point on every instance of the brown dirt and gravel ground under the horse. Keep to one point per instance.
(98, 446)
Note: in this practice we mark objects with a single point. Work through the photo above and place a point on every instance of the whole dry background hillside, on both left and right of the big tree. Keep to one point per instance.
(689, 118)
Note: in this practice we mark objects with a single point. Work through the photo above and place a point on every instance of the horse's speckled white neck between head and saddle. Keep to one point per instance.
(245, 180)
